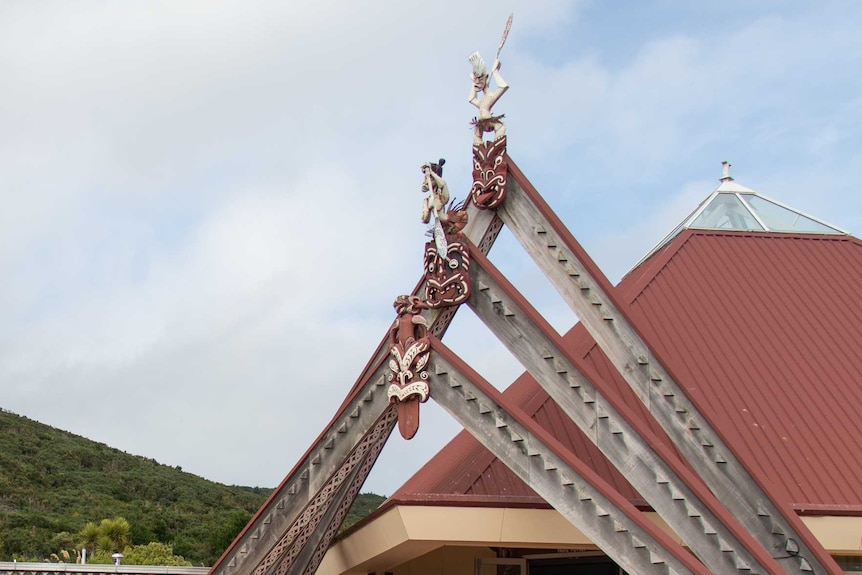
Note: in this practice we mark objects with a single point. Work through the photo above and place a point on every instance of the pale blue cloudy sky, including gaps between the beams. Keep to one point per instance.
(208, 207)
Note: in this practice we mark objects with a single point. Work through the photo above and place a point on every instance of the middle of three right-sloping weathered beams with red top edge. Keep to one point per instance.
(674, 492)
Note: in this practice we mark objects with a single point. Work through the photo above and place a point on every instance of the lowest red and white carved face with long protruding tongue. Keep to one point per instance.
(410, 350)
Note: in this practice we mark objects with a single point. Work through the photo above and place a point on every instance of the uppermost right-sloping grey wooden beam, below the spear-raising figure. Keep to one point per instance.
(591, 296)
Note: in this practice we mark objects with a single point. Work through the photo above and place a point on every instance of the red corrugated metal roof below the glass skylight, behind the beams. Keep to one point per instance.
(764, 331)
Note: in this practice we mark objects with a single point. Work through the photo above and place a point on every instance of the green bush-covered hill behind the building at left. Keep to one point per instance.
(52, 483)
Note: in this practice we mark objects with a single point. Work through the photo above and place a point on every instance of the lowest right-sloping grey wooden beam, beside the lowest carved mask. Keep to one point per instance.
(634, 542)
